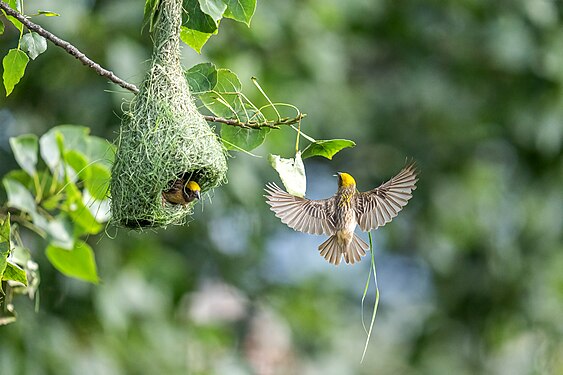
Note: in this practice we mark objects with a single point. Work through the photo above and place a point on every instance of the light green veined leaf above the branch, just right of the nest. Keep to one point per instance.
(224, 100)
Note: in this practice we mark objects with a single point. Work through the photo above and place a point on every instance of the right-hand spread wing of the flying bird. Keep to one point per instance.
(379, 206)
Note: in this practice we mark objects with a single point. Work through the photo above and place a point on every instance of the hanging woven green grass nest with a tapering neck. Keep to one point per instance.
(163, 138)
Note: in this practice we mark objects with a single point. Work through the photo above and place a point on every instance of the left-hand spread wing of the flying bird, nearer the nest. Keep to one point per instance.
(302, 214)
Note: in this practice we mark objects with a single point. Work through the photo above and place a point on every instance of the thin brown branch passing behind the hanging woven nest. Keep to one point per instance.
(85, 60)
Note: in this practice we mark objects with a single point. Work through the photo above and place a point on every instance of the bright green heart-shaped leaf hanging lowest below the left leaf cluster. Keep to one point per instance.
(78, 262)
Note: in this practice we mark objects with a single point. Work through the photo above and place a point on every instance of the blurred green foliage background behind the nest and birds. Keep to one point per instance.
(470, 273)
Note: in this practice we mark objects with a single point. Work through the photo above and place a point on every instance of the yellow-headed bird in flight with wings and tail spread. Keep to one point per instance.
(339, 215)
